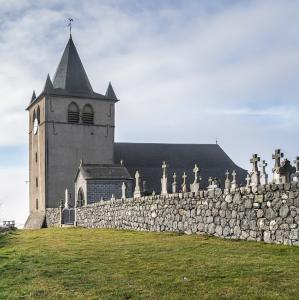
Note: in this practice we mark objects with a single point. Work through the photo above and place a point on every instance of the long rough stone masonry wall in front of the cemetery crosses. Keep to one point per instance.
(268, 213)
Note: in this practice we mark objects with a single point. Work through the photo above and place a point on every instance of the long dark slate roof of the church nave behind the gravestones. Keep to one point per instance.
(180, 158)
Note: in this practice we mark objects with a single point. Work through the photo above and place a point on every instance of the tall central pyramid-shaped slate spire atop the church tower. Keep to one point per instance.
(70, 74)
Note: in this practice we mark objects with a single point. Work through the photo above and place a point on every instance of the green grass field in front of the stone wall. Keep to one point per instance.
(79, 263)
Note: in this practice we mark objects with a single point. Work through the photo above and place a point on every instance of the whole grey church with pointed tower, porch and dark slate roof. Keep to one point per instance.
(72, 146)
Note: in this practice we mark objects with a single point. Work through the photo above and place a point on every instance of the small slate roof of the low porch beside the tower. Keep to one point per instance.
(103, 172)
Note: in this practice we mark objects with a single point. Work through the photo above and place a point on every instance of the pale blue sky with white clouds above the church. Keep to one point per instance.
(184, 71)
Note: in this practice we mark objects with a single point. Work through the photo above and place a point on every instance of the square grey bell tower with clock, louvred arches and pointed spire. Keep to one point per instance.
(68, 122)
